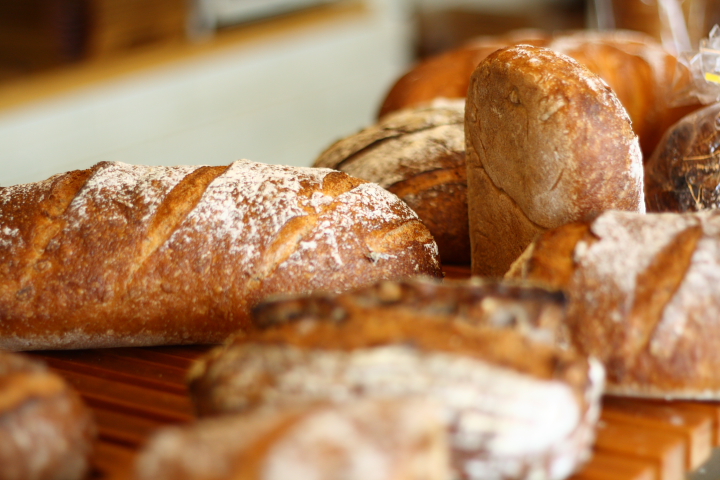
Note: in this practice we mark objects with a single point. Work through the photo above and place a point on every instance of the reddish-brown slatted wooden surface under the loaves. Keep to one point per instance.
(134, 391)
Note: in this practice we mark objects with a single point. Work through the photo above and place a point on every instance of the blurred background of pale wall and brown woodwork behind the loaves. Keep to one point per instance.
(166, 82)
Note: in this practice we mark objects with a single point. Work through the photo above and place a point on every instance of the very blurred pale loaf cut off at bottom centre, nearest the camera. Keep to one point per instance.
(399, 439)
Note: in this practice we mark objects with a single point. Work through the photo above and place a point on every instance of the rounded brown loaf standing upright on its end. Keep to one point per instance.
(547, 143)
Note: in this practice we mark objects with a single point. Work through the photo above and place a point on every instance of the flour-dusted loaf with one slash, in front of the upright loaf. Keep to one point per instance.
(643, 297)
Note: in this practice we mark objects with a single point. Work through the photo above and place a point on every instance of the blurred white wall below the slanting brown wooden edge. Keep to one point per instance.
(281, 101)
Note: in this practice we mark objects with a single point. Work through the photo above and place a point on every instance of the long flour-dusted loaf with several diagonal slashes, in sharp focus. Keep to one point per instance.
(134, 255)
